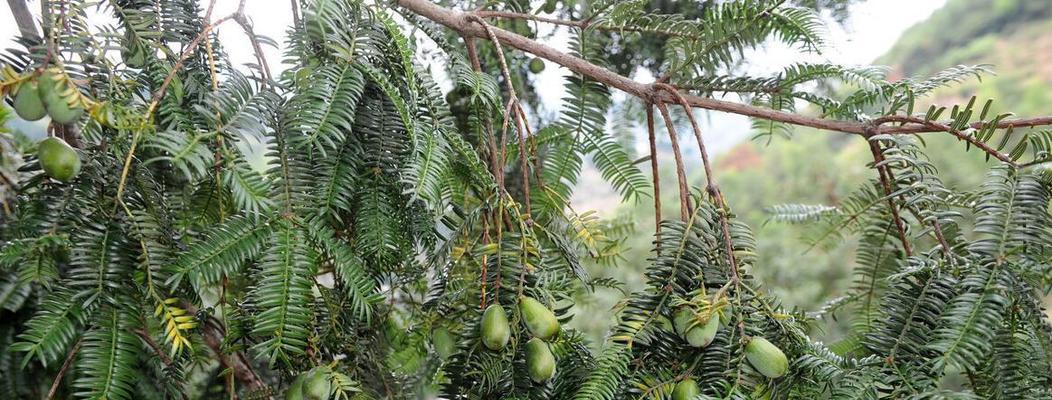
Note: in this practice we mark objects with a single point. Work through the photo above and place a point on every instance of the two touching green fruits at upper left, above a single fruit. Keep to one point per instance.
(51, 94)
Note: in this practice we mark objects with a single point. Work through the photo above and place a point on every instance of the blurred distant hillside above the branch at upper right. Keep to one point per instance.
(1014, 36)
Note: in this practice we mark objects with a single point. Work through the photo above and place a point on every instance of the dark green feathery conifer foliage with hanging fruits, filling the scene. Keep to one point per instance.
(347, 230)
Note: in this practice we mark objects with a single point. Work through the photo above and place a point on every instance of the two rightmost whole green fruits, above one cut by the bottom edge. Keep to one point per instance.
(764, 356)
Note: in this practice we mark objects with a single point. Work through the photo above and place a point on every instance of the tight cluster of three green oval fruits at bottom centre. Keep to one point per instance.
(540, 322)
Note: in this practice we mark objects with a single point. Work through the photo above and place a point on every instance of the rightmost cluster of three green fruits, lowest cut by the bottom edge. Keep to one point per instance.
(700, 328)
